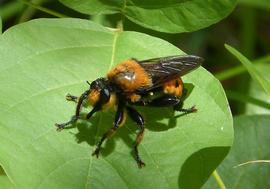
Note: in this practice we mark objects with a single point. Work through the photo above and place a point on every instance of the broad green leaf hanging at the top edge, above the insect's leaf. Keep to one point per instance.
(173, 16)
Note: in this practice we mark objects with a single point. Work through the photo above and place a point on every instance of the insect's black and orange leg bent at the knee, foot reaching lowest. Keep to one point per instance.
(135, 116)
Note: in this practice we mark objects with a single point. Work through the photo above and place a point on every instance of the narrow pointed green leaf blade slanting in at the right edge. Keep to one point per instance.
(255, 74)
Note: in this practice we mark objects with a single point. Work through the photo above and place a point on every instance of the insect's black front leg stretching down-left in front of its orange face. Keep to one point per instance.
(77, 113)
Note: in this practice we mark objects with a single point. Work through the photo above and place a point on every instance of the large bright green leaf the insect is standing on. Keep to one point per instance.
(43, 60)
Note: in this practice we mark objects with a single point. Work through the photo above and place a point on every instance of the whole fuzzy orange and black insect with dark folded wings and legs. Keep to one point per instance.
(154, 82)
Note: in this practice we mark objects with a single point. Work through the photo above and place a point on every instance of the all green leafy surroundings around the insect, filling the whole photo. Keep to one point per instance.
(56, 56)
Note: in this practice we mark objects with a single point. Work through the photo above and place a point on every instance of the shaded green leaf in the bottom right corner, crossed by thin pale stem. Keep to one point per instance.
(251, 143)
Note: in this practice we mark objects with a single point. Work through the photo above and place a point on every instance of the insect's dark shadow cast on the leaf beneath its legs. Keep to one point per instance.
(157, 119)
